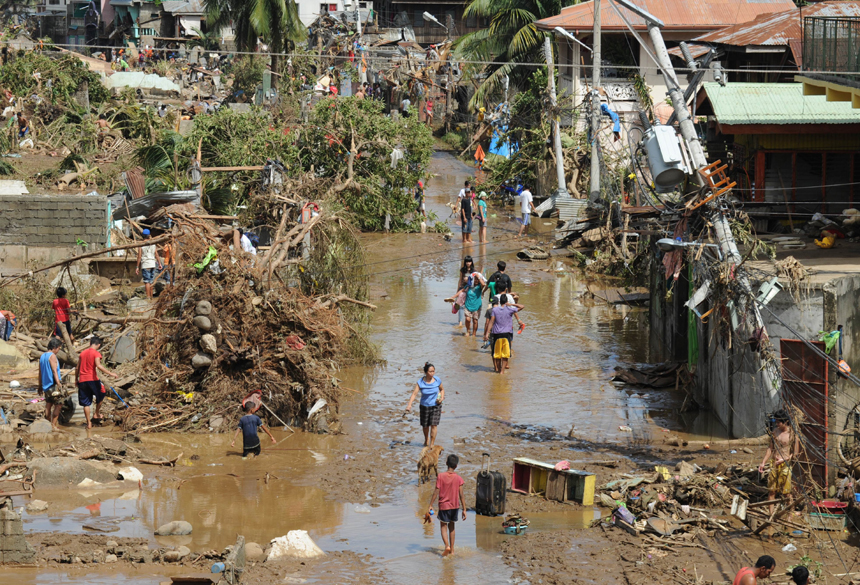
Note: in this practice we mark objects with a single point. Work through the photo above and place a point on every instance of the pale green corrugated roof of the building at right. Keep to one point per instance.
(775, 103)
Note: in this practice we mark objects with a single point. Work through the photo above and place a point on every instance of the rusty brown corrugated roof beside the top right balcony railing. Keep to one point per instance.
(779, 28)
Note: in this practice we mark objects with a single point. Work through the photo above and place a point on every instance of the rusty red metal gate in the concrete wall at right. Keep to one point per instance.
(805, 380)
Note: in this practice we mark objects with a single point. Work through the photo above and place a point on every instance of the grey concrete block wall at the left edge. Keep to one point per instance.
(53, 220)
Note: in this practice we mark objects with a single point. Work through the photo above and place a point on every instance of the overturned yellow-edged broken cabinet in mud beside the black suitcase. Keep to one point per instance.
(536, 477)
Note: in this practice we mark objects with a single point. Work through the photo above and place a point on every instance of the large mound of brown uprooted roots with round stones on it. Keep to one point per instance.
(218, 335)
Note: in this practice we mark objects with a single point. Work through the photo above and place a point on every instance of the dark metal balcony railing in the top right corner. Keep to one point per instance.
(831, 44)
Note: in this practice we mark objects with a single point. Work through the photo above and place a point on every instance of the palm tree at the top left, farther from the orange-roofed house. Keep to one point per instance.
(276, 22)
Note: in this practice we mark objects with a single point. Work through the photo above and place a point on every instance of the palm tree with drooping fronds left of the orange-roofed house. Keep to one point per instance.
(511, 38)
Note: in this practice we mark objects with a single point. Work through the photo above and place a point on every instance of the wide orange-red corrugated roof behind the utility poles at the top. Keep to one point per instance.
(695, 15)
